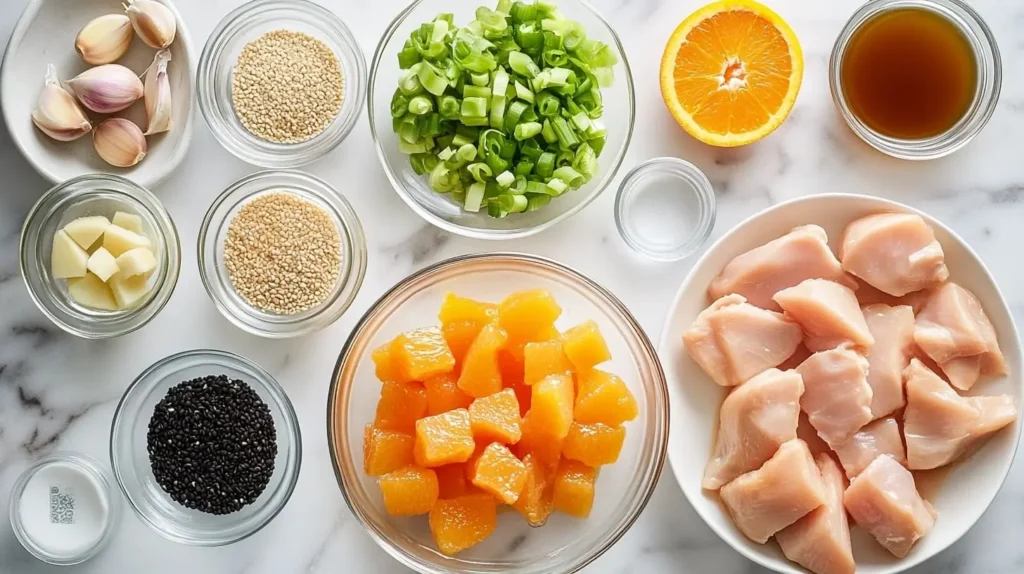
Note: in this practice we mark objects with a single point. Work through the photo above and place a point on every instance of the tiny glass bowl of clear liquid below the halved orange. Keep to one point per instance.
(665, 209)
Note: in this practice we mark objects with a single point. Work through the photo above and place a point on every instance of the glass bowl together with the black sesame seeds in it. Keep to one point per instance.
(206, 448)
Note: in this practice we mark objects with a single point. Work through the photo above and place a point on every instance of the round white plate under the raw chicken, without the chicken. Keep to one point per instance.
(970, 485)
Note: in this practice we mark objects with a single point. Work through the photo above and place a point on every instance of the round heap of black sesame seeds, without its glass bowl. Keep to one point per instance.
(201, 445)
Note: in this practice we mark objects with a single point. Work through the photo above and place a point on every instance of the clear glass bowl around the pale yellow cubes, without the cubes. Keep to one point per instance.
(97, 195)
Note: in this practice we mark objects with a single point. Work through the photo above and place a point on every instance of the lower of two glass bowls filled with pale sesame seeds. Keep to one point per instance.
(302, 304)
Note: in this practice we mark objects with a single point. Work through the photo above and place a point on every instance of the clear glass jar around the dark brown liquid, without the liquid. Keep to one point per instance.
(990, 67)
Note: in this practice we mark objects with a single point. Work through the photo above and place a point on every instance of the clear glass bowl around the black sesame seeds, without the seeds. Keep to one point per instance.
(131, 459)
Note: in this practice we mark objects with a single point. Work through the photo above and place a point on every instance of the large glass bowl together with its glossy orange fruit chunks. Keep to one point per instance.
(498, 413)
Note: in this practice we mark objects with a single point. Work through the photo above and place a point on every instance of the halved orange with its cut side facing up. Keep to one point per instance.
(732, 72)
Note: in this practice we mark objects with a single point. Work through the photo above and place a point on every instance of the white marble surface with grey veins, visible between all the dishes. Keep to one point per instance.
(59, 393)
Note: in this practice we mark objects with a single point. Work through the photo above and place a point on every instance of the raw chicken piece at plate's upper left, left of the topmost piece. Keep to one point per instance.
(761, 273)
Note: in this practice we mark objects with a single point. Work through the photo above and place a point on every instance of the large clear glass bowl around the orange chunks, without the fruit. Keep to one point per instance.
(565, 545)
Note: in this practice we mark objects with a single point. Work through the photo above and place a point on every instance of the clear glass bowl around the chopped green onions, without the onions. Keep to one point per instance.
(437, 208)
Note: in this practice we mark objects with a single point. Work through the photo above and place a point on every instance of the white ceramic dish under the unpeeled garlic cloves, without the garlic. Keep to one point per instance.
(45, 35)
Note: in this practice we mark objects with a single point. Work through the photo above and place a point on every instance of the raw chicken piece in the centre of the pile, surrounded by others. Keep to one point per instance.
(837, 398)
